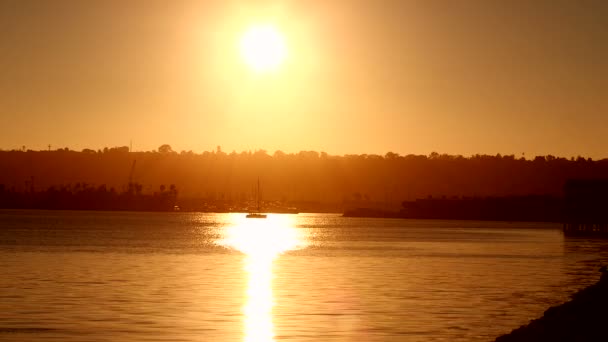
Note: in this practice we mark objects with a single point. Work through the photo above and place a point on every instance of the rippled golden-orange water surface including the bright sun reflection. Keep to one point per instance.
(98, 276)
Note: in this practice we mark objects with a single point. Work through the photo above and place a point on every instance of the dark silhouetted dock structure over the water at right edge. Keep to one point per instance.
(586, 207)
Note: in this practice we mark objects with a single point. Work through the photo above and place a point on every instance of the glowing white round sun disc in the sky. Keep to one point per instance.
(263, 48)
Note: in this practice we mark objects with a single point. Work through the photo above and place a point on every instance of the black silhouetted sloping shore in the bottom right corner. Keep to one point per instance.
(581, 319)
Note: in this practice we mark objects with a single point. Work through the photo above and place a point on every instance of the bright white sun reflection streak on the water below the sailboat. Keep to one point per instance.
(261, 240)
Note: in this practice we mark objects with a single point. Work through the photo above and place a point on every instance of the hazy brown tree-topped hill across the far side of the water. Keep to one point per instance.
(305, 177)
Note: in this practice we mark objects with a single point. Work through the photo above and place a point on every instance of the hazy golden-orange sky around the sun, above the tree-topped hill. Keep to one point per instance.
(458, 77)
